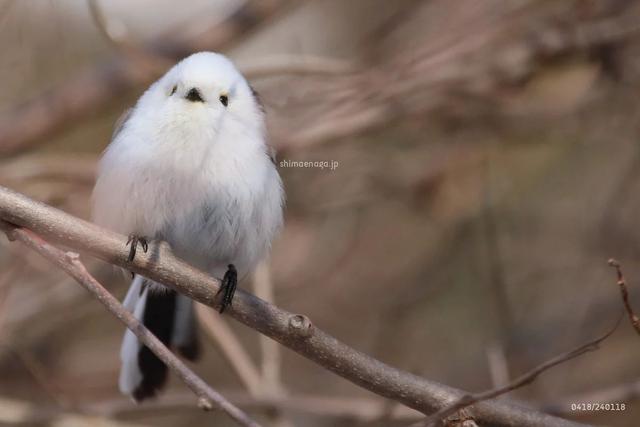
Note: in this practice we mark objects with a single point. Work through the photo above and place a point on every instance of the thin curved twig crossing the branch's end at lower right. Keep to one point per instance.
(521, 381)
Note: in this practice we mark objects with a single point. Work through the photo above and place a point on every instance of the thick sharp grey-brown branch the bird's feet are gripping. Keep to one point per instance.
(292, 330)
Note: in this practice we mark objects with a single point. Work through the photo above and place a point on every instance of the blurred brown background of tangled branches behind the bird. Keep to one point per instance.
(488, 167)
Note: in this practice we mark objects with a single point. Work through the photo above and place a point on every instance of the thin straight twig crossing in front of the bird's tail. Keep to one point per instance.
(70, 263)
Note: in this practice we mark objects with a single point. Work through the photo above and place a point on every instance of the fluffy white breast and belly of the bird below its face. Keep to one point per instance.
(209, 190)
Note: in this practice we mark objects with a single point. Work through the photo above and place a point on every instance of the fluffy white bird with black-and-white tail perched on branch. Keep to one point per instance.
(189, 165)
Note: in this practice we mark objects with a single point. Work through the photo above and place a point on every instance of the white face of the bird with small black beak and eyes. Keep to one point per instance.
(203, 92)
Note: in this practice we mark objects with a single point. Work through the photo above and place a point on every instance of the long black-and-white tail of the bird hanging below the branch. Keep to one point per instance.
(170, 317)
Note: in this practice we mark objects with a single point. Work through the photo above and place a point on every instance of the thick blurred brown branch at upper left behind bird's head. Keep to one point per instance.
(94, 89)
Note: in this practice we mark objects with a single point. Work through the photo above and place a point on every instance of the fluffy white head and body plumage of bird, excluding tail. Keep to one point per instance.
(197, 175)
